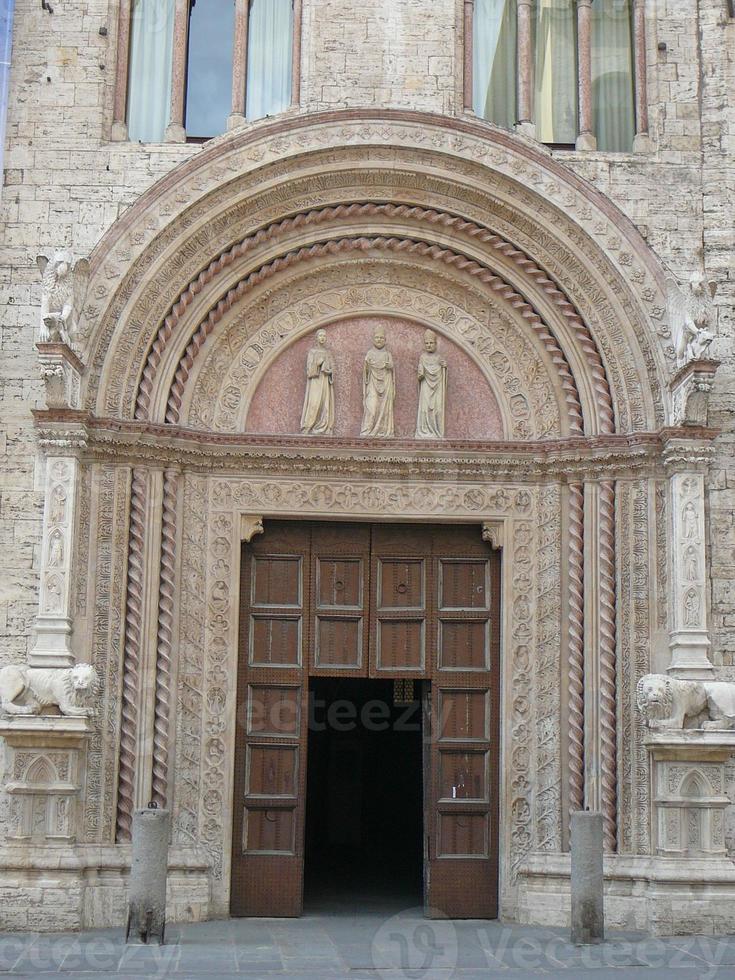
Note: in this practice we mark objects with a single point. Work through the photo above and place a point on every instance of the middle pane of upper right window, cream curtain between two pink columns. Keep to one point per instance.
(556, 71)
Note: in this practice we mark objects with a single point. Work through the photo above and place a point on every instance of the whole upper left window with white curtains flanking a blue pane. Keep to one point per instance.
(193, 71)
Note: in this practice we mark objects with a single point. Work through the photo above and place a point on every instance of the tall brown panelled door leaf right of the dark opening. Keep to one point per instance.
(462, 808)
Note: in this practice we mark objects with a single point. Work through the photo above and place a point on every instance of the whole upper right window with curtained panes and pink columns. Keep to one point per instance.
(528, 67)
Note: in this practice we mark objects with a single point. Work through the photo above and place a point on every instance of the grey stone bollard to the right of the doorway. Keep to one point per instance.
(588, 917)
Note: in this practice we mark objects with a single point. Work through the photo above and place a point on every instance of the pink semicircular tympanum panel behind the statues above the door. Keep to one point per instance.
(323, 372)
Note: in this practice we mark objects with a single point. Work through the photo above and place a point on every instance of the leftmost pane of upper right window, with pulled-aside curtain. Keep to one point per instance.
(494, 68)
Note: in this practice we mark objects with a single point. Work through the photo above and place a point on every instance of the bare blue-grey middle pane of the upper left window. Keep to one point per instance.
(209, 67)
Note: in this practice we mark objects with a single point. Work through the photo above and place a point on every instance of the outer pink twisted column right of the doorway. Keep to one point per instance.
(608, 668)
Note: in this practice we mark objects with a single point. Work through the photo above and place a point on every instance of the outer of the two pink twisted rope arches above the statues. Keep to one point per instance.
(449, 222)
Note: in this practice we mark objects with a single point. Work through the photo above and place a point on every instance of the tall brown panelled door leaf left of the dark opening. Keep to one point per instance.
(270, 751)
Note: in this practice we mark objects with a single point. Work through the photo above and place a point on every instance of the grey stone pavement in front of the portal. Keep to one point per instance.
(364, 946)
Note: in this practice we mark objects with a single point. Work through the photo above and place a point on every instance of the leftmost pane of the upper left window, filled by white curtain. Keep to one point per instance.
(149, 74)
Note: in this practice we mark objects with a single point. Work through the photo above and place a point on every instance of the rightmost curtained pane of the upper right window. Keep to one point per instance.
(613, 111)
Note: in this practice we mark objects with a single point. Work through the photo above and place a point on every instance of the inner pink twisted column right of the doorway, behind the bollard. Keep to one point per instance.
(576, 646)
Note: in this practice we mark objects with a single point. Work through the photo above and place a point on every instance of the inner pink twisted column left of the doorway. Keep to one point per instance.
(166, 605)
